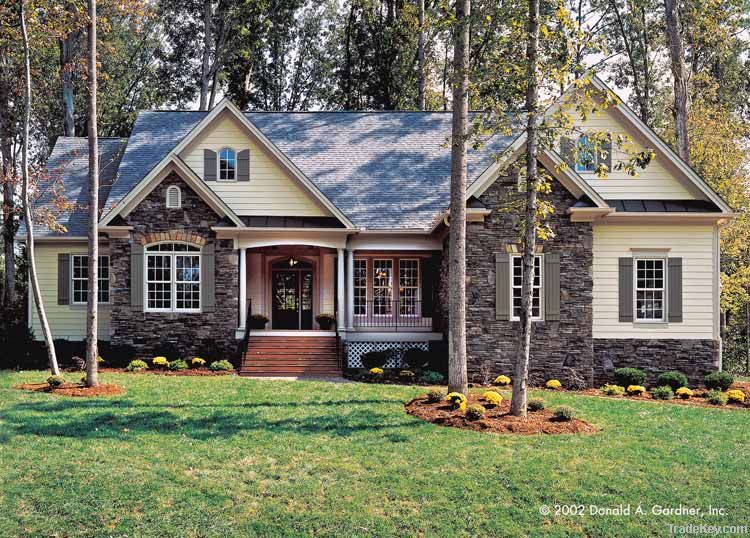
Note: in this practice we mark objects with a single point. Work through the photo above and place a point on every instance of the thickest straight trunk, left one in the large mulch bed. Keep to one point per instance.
(457, 377)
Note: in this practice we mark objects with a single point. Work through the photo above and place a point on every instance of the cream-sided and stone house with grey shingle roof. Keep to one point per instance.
(209, 218)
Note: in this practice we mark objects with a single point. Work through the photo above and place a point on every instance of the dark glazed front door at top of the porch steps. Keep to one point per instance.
(292, 299)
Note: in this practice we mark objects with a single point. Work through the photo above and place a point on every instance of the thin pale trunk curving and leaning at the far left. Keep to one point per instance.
(33, 277)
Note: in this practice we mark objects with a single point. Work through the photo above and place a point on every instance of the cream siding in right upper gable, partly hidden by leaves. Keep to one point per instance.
(655, 182)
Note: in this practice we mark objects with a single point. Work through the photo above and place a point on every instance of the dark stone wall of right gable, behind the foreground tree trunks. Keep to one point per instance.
(561, 349)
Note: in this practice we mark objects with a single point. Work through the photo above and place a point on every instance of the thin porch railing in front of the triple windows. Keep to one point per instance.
(391, 314)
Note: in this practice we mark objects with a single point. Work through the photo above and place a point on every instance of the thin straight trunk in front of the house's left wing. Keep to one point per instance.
(92, 312)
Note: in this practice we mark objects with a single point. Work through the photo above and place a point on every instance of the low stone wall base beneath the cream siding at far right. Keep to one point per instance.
(694, 358)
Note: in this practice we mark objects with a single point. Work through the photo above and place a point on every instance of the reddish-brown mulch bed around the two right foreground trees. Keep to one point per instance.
(497, 419)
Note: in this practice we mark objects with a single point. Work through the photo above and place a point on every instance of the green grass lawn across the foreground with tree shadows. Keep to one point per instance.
(236, 457)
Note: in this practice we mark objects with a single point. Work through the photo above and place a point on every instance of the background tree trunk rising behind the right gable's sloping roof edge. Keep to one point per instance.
(679, 74)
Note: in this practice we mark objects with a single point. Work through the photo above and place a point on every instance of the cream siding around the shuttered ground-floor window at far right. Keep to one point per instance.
(693, 243)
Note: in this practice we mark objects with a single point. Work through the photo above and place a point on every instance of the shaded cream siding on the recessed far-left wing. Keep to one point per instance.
(66, 321)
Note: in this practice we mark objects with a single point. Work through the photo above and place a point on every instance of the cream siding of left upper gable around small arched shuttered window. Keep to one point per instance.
(270, 191)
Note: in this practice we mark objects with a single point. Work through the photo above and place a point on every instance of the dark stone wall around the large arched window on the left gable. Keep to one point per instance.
(190, 333)
